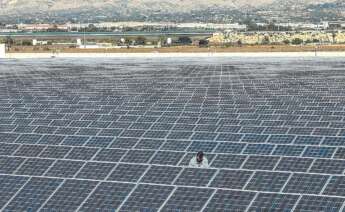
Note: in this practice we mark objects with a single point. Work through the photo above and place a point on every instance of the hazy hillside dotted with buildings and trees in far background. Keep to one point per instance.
(169, 10)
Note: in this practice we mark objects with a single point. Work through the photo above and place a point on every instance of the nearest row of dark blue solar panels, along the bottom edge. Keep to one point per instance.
(34, 193)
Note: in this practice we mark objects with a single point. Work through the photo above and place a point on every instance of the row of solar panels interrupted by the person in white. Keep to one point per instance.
(259, 162)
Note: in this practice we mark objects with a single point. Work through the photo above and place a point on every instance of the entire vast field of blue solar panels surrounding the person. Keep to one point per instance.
(105, 135)
